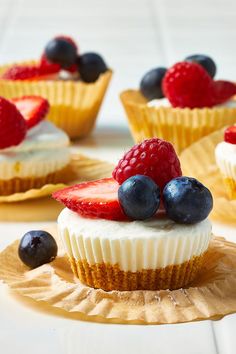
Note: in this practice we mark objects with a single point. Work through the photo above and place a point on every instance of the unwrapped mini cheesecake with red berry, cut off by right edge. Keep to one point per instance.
(225, 154)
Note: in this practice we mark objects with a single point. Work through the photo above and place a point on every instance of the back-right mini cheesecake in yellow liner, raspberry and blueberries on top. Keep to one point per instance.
(181, 104)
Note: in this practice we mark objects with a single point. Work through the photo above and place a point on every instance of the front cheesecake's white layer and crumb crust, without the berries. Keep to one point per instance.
(130, 255)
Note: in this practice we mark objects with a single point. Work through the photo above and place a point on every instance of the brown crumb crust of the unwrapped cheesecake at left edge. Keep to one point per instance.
(18, 185)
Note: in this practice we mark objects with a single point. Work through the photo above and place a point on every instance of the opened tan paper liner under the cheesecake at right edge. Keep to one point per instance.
(199, 161)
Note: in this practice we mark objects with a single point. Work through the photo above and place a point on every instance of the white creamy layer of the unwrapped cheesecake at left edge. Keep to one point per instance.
(43, 151)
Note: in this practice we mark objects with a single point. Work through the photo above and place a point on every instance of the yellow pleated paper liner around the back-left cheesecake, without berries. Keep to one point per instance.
(74, 105)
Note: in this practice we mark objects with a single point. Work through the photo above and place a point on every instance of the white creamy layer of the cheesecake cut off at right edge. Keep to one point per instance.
(225, 154)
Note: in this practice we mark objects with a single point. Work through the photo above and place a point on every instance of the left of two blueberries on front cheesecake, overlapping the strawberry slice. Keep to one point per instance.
(139, 197)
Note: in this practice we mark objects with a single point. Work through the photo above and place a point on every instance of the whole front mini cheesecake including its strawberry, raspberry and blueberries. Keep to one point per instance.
(117, 234)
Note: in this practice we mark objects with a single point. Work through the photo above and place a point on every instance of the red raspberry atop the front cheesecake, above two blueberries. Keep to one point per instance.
(154, 158)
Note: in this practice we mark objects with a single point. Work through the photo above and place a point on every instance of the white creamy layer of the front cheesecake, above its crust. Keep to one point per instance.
(135, 245)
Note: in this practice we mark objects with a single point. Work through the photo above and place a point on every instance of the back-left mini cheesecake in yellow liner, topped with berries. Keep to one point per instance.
(73, 84)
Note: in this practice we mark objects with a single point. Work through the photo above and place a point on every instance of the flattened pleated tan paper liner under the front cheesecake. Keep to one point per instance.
(211, 296)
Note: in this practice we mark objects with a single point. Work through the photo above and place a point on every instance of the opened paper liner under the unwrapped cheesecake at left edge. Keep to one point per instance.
(37, 204)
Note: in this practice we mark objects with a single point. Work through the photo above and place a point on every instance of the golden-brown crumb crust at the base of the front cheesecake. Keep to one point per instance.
(110, 277)
